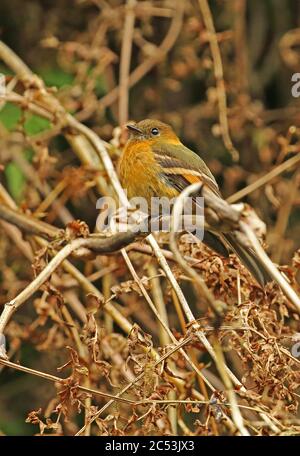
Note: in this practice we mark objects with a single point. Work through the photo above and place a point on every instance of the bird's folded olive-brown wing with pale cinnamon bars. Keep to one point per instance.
(183, 167)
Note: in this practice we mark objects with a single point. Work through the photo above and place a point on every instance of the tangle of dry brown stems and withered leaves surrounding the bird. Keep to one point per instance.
(113, 334)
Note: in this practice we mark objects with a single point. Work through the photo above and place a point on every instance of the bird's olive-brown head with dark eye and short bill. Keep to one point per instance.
(152, 130)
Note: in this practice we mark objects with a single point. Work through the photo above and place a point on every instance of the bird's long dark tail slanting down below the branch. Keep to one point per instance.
(249, 258)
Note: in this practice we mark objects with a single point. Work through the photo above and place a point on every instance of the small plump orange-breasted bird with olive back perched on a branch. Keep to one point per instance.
(155, 163)
